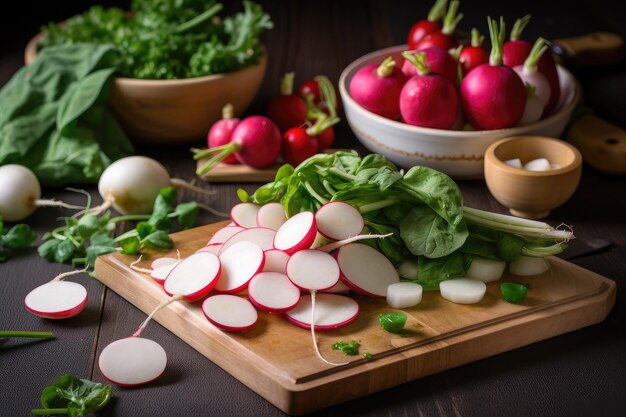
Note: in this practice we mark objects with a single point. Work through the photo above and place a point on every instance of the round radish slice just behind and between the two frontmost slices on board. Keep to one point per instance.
(273, 291)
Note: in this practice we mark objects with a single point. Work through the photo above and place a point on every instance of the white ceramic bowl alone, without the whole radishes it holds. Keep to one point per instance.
(457, 153)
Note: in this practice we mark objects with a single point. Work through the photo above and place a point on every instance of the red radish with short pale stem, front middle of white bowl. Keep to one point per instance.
(427, 99)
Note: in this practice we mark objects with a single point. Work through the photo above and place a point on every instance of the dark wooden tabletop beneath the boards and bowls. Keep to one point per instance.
(580, 373)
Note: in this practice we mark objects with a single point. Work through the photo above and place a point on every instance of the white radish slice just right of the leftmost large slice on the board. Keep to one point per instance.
(240, 262)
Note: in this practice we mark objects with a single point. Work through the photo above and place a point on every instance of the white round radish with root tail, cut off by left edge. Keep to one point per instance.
(20, 194)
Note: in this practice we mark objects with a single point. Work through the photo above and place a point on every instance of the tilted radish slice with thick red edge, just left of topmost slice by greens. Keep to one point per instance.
(296, 233)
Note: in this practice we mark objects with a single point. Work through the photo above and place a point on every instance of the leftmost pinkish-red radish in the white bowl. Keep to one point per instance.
(377, 88)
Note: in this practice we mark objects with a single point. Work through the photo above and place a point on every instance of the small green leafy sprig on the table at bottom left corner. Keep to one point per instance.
(74, 397)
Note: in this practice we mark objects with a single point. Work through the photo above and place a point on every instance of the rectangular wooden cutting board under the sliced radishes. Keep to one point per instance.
(277, 359)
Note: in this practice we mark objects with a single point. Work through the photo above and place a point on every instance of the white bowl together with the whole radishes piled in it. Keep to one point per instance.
(409, 105)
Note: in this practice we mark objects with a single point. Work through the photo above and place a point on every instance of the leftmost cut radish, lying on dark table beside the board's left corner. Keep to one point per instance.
(57, 300)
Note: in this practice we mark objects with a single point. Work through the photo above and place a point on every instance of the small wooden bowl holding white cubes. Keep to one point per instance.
(532, 194)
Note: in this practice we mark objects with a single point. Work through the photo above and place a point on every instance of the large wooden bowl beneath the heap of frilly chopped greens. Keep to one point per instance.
(176, 111)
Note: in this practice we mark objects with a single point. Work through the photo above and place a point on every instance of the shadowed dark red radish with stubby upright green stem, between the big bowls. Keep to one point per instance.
(287, 110)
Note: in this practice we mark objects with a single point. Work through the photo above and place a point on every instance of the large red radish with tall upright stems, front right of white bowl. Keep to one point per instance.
(492, 95)
